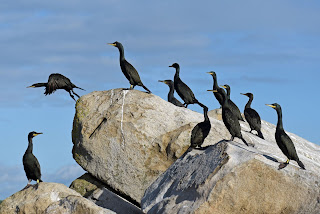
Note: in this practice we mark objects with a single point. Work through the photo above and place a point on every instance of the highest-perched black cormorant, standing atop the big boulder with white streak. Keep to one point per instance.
(128, 70)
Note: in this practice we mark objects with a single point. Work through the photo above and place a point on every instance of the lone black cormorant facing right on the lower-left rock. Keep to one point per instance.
(30, 162)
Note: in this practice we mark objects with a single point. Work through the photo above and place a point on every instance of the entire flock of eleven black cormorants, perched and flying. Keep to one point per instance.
(230, 112)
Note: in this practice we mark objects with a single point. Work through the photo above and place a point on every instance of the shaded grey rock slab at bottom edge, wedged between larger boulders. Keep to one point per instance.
(111, 201)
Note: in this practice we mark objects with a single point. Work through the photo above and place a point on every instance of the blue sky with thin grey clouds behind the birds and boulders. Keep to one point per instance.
(269, 48)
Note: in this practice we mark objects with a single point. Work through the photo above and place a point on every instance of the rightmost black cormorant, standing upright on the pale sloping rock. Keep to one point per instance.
(284, 141)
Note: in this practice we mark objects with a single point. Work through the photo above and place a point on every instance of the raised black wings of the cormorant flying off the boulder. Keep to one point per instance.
(57, 81)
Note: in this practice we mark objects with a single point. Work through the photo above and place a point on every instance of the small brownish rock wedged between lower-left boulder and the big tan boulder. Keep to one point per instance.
(86, 185)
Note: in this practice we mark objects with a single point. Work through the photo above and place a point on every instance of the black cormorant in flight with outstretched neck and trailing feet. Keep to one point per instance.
(57, 81)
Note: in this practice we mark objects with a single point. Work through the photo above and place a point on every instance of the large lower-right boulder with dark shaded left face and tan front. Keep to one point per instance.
(229, 177)
